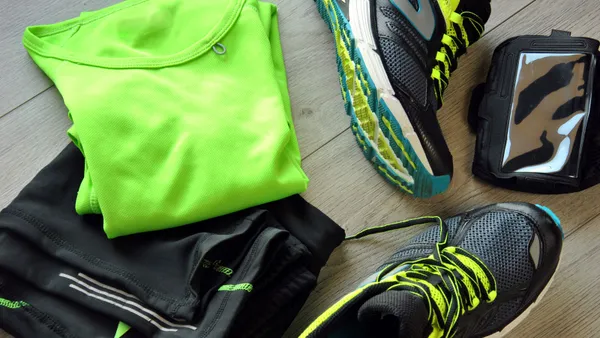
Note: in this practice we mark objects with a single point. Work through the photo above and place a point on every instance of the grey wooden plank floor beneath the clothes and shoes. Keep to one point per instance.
(33, 122)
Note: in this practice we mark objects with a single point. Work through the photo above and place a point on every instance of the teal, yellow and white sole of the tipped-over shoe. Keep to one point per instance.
(382, 128)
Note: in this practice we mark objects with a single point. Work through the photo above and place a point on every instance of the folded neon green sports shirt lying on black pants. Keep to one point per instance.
(173, 130)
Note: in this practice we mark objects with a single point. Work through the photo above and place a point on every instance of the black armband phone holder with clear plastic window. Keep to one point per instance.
(536, 117)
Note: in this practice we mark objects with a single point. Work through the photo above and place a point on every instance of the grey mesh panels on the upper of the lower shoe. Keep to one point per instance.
(500, 239)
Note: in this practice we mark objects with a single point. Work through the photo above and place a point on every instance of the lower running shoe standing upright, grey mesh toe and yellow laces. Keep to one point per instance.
(478, 274)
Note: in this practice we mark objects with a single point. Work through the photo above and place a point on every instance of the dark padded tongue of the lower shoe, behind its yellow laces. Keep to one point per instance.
(398, 313)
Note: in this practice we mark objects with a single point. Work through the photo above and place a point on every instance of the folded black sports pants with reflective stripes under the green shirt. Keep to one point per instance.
(251, 265)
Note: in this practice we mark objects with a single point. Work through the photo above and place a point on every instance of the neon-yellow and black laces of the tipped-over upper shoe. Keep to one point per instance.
(454, 44)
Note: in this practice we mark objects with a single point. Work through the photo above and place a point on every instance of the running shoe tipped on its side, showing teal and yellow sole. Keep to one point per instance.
(394, 59)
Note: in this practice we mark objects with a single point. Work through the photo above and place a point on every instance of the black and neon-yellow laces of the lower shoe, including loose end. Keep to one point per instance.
(451, 280)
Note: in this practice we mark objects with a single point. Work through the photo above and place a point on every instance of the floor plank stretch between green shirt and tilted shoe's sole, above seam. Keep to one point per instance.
(307, 47)
